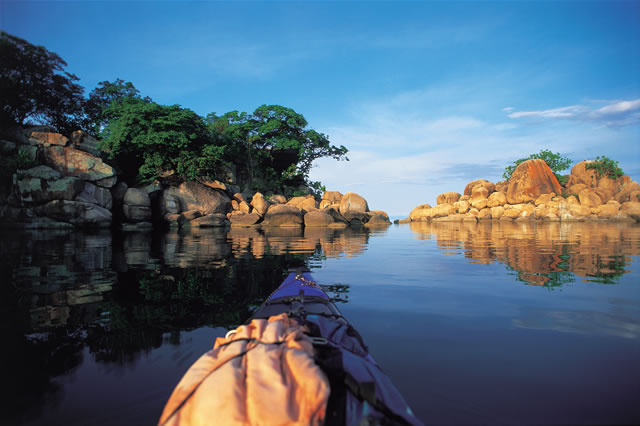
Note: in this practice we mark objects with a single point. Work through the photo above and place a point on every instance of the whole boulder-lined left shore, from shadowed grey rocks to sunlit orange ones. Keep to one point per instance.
(70, 186)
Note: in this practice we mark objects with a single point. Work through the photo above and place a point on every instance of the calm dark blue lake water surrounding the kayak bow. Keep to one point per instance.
(474, 323)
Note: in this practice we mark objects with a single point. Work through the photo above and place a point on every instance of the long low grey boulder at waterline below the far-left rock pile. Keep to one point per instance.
(76, 213)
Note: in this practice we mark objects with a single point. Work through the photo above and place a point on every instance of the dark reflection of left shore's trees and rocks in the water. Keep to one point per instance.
(123, 295)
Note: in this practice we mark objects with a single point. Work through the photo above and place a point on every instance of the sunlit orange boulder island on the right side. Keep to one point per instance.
(534, 193)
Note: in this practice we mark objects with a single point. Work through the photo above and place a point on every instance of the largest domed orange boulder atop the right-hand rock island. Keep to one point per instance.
(531, 179)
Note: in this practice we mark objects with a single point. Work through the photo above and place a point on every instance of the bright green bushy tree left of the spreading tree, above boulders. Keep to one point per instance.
(148, 140)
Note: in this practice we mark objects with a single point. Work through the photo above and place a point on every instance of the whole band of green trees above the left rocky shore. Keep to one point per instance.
(268, 150)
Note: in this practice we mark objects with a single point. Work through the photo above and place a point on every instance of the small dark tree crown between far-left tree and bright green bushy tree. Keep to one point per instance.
(101, 97)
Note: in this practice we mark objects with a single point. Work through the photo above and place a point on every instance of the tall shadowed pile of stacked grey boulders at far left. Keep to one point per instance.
(70, 185)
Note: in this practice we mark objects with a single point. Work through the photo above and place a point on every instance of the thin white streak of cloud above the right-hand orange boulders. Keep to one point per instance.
(616, 113)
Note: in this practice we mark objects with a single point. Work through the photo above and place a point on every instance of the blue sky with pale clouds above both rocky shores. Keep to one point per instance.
(427, 96)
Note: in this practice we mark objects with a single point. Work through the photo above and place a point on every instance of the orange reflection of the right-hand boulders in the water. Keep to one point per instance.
(549, 254)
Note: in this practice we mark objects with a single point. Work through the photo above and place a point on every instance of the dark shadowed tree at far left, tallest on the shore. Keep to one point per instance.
(35, 88)
